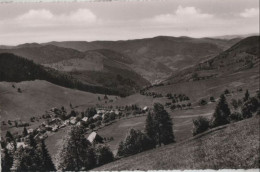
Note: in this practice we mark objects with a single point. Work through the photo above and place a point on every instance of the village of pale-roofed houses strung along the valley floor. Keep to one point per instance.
(91, 120)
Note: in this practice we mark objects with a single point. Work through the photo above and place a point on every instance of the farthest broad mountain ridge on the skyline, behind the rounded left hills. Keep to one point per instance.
(158, 57)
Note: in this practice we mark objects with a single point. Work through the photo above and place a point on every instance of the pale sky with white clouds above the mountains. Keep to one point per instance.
(122, 20)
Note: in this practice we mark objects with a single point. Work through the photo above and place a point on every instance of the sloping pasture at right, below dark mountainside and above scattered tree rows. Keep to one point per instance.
(197, 90)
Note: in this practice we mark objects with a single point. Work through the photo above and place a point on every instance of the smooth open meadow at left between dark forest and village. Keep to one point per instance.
(37, 97)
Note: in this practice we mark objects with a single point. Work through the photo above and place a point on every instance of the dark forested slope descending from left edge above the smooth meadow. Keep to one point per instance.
(27, 70)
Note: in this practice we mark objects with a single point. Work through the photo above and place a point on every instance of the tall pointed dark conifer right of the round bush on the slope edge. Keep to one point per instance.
(222, 113)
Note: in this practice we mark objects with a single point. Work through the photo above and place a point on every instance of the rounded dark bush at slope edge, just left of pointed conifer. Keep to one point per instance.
(200, 125)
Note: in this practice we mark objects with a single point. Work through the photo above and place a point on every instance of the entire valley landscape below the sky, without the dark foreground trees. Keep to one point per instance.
(110, 87)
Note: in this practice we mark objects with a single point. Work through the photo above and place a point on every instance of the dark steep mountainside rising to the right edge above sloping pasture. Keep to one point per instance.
(241, 56)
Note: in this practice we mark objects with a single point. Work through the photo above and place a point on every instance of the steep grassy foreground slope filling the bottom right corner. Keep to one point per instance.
(232, 146)
